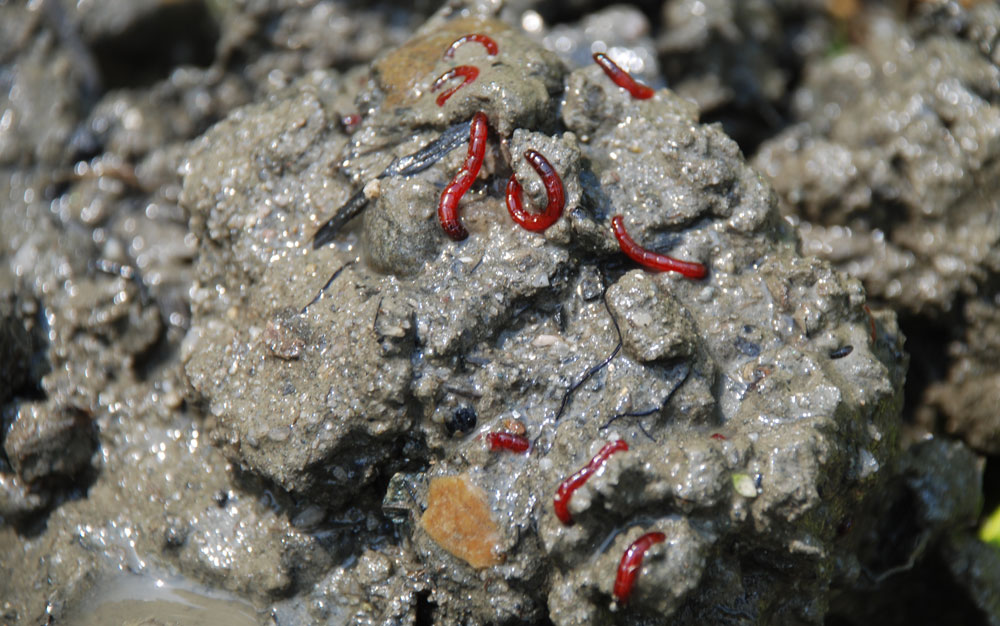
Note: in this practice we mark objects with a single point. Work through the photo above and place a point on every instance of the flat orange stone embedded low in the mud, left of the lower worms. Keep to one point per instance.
(458, 519)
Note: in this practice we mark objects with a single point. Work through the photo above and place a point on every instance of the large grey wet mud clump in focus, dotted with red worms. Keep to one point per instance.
(752, 429)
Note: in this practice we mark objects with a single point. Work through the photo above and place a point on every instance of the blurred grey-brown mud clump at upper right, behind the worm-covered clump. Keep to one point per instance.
(893, 181)
